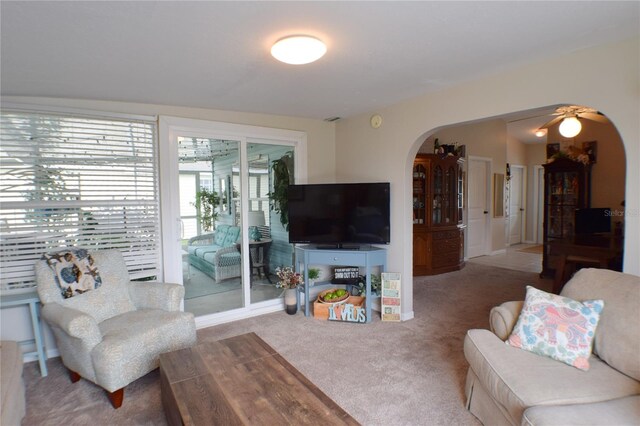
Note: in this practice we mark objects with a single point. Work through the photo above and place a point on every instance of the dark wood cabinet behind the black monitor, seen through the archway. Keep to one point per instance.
(567, 187)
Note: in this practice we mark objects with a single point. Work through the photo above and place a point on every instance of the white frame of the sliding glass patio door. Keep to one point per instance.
(169, 129)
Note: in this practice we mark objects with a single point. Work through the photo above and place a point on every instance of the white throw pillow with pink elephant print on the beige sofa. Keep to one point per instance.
(557, 327)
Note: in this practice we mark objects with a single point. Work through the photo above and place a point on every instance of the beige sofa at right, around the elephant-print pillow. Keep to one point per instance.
(510, 386)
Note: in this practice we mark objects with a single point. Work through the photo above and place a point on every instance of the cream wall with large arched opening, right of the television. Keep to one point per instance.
(605, 78)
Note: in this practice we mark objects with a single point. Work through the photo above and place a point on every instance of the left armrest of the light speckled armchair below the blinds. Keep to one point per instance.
(73, 323)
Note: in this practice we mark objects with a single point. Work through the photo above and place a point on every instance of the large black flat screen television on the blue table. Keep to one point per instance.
(340, 215)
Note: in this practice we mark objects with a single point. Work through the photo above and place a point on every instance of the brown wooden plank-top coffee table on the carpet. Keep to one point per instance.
(241, 381)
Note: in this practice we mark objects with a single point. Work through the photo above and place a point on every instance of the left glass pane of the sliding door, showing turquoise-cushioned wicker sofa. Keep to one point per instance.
(210, 237)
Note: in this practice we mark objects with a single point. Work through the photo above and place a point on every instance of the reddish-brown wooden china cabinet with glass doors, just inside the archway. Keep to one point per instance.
(438, 238)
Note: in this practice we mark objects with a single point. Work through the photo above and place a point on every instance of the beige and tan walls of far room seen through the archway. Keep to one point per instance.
(510, 140)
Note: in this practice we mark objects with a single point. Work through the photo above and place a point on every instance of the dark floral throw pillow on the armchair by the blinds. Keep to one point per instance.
(74, 271)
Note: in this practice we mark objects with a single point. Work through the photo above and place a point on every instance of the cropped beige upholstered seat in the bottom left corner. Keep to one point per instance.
(11, 384)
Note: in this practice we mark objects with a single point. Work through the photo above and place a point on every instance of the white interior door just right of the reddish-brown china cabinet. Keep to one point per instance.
(478, 212)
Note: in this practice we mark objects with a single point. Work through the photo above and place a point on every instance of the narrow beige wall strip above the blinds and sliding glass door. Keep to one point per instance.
(320, 134)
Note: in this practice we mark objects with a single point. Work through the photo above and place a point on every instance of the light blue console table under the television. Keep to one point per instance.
(365, 256)
